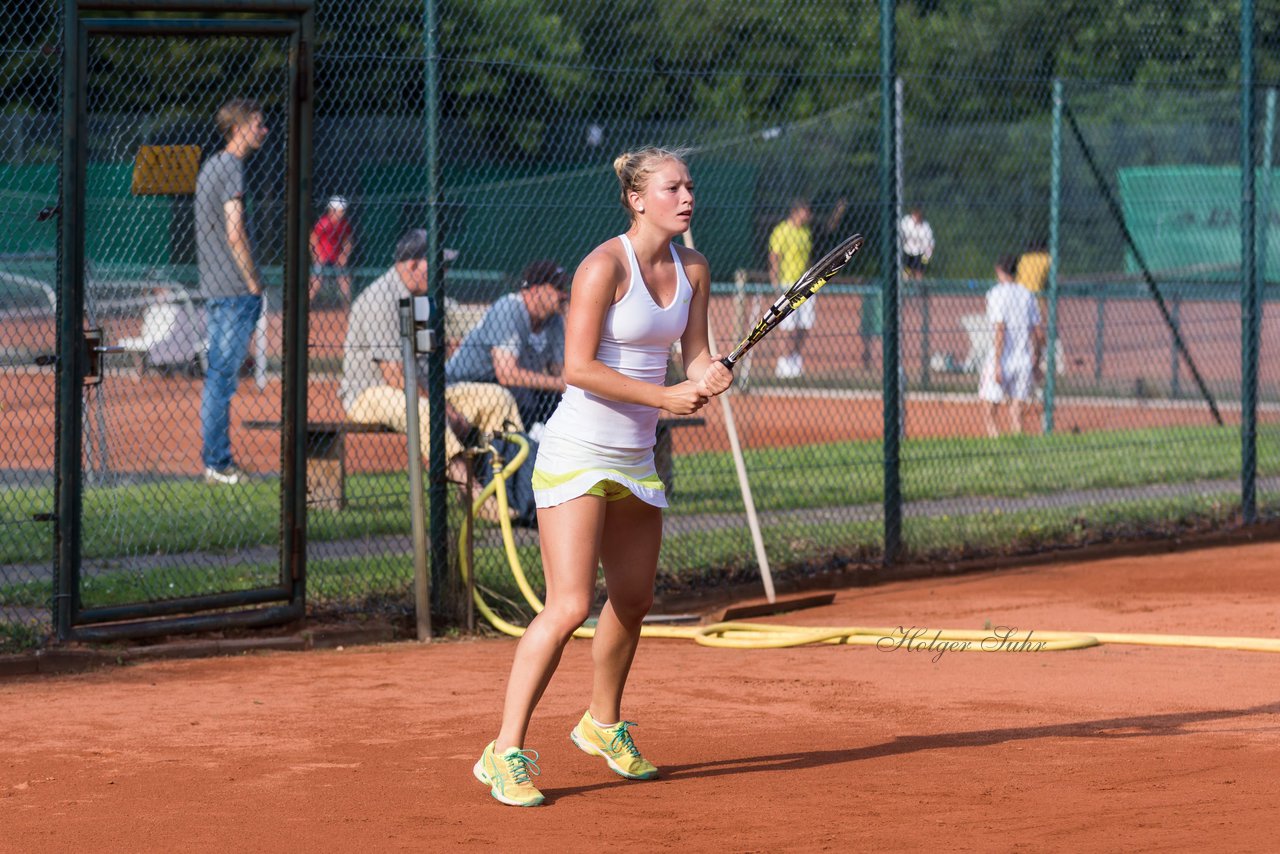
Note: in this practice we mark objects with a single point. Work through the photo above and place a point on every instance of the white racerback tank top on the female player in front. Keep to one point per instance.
(636, 341)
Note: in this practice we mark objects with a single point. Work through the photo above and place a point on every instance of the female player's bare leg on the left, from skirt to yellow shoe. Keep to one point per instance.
(569, 536)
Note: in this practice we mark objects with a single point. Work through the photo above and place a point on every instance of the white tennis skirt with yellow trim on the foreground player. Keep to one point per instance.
(569, 468)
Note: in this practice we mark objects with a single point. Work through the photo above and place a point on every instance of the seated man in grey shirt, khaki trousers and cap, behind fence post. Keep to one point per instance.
(373, 373)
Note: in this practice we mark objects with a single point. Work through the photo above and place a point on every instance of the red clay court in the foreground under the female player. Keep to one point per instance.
(834, 748)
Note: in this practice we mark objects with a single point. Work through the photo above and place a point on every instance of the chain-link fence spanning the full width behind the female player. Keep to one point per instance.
(1108, 143)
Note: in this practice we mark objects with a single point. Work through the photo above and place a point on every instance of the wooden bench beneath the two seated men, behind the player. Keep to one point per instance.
(327, 455)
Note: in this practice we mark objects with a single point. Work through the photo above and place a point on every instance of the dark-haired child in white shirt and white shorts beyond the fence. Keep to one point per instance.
(1013, 366)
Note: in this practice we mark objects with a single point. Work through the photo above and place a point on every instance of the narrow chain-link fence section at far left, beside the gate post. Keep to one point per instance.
(29, 305)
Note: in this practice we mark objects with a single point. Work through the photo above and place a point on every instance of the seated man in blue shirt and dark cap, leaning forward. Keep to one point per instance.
(520, 345)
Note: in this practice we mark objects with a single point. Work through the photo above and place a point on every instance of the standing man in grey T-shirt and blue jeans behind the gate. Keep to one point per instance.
(230, 278)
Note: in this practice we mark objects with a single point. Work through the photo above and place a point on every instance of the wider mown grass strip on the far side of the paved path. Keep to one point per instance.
(177, 517)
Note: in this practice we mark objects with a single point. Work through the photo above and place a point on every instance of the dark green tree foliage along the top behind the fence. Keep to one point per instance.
(511, 68)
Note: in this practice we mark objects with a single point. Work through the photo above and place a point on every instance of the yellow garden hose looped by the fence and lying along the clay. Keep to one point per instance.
(762, 636)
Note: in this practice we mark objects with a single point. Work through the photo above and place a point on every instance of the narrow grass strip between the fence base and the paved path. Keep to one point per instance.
(689, 561)
